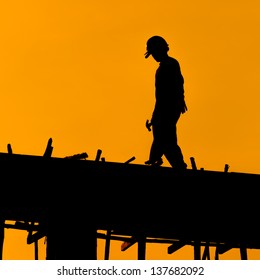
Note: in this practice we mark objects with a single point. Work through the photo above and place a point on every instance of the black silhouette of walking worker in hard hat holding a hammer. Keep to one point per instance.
(169, 105)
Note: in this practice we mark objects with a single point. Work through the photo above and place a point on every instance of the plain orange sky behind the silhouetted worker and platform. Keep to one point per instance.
(75, 71)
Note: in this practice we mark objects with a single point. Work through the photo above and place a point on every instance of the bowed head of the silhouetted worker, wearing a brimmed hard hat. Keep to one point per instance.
(157, 47)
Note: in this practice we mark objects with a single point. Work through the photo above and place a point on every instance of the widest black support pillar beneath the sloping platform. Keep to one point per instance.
(67, 241)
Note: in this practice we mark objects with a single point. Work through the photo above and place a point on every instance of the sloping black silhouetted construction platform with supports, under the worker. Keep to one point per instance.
(69, 200)
